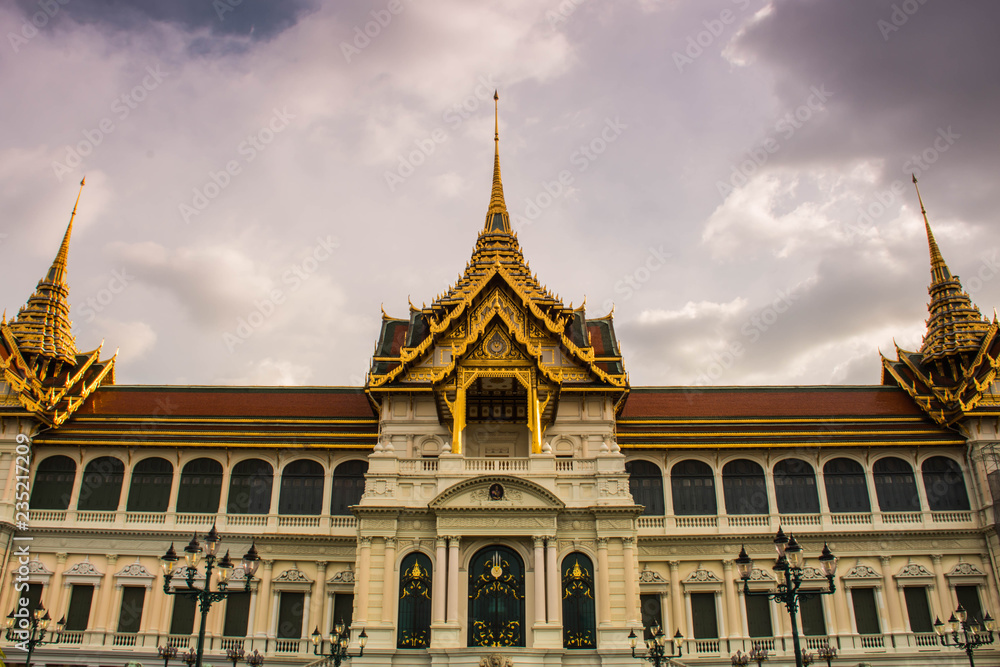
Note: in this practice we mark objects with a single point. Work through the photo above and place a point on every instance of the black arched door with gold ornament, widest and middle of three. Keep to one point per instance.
(496, 598)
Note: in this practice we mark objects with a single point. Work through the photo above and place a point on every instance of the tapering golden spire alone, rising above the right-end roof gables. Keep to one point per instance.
(955, 326)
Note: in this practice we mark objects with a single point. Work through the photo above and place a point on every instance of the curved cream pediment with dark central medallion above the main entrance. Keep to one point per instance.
(497, 492)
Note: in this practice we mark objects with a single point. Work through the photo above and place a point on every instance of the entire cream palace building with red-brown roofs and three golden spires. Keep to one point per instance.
(497, 486)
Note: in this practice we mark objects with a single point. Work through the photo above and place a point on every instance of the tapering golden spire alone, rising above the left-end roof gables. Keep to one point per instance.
(42, 326)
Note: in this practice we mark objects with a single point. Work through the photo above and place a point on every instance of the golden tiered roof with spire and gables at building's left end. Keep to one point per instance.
(44, 373)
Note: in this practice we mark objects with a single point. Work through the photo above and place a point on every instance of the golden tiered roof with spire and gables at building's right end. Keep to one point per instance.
(955, 368)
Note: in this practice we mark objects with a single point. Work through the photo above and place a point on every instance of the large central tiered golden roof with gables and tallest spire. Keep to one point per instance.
(497, 263)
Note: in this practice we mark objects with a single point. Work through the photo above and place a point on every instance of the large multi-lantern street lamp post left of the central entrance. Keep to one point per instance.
(205, 596)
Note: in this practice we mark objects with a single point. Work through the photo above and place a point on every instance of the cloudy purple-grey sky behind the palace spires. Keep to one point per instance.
(732, 175)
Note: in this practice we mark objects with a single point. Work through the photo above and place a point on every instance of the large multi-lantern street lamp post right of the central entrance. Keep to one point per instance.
(789, 563)
